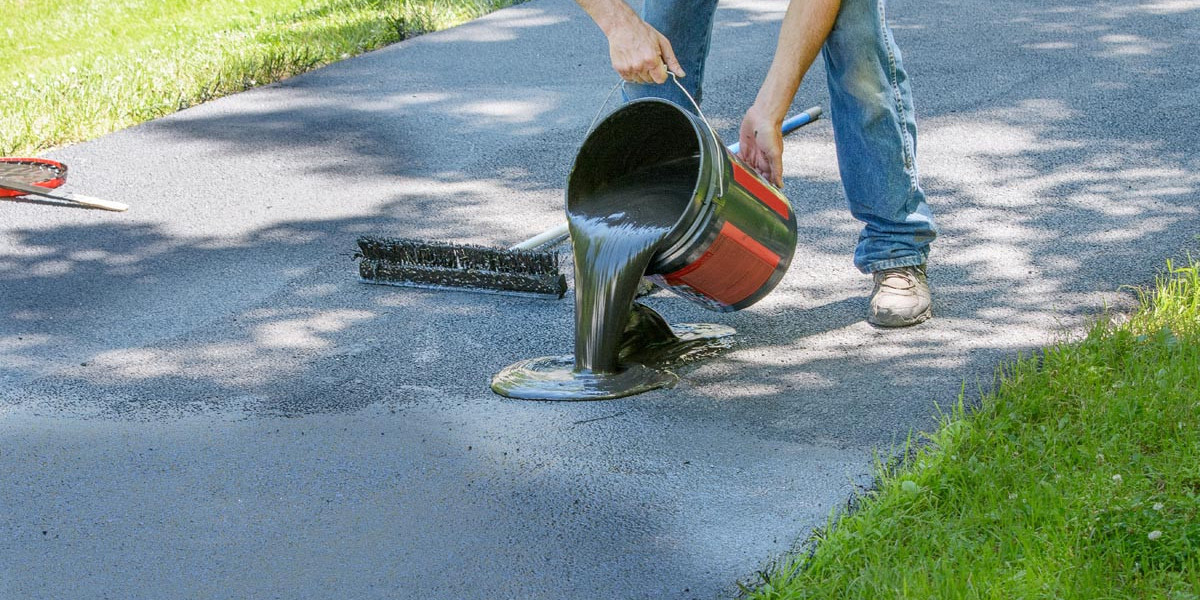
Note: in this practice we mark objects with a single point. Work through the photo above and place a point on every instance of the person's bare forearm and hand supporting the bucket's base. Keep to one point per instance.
(805, 31)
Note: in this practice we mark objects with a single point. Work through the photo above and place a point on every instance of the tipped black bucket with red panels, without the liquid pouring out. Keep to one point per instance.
(736, 236)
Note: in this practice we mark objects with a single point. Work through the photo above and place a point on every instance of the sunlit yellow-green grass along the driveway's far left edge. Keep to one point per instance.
(74, 70)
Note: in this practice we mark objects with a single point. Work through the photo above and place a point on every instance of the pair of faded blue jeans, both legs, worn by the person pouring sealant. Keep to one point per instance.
(872, 112)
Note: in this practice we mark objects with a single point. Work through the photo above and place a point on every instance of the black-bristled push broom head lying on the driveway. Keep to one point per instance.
(425, 265)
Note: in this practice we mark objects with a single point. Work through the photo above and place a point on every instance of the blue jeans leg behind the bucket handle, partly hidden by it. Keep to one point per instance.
(688, 25)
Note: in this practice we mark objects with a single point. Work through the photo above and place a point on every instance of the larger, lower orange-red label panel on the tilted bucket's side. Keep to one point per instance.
(733, 269)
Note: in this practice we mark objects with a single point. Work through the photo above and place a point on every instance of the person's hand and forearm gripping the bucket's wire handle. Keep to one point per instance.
(639, 52)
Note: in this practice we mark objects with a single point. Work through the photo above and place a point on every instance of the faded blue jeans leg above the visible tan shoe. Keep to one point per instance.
(877, 139)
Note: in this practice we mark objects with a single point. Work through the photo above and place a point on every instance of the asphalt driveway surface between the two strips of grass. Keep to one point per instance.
(200, 400)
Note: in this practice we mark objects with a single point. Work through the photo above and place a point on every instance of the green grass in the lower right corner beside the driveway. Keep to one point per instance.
(1078, 477)
